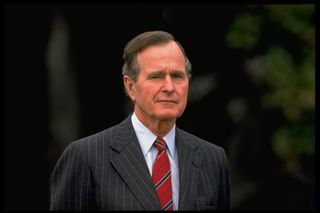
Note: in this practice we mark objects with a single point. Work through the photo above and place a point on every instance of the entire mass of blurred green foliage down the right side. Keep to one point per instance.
(290, 82)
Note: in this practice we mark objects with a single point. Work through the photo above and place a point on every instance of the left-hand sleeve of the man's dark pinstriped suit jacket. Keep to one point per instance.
(71, 181)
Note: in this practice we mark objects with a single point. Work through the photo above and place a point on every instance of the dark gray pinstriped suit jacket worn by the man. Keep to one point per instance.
(107, 171)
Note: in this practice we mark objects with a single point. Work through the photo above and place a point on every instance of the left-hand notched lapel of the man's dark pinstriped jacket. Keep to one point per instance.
(131, 166)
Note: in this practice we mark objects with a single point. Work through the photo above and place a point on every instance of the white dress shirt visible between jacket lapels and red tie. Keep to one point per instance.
(146, 139)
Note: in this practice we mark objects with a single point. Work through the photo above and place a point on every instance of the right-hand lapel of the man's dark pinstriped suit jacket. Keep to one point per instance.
(189, 162)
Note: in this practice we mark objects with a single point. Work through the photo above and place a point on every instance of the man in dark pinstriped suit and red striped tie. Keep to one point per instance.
(145, 162)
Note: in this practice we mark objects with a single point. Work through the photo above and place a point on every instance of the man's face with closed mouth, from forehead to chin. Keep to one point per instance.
(161, 89)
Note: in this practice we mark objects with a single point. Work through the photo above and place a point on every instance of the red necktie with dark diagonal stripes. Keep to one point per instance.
(161, 175)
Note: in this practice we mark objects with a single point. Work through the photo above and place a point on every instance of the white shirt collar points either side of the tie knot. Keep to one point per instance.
(146, 137)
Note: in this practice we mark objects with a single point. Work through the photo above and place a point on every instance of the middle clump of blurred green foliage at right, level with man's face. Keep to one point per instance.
(292, 87)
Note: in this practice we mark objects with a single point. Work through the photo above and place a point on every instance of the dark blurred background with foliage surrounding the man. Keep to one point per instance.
(252, 90)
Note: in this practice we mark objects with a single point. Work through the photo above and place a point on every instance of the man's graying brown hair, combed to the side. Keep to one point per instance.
(142, 41)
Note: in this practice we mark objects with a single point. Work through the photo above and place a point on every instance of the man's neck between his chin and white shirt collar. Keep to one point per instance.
(156, 126)
